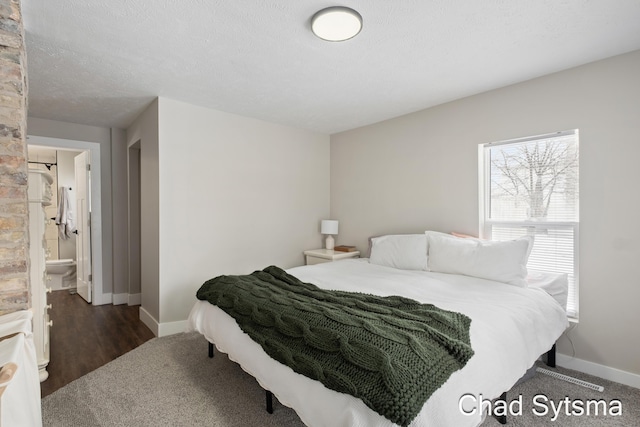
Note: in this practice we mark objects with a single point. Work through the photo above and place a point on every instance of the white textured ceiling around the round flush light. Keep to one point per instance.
(102, 62)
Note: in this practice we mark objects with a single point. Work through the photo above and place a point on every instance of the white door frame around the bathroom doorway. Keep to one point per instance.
(96, 206)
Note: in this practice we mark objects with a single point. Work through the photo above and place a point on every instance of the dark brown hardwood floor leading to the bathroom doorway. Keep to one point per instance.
(85, 337)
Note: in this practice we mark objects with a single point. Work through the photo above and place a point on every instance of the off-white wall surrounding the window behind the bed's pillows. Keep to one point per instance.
(419, 172)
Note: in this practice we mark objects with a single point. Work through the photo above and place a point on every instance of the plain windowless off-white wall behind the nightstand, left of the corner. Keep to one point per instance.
(236, 195)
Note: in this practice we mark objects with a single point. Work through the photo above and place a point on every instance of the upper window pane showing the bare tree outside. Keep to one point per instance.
(535, 180)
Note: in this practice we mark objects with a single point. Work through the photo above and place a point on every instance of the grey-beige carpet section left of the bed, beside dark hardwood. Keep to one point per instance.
(166, 381)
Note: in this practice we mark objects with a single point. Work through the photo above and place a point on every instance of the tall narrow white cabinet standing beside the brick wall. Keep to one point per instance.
(39, 196)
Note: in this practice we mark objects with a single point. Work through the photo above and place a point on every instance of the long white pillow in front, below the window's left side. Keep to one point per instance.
(499, 261)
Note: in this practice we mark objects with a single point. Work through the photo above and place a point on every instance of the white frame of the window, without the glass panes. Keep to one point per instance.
(486, 224)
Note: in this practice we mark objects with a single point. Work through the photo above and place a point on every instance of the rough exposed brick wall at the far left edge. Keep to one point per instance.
(14, 212)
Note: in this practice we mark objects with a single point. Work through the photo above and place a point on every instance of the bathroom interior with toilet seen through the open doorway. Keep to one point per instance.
(60, 247)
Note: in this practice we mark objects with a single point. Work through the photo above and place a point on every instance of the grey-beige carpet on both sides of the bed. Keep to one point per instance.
(171, 382)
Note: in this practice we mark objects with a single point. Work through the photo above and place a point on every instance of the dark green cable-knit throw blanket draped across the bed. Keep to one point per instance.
(391, 352)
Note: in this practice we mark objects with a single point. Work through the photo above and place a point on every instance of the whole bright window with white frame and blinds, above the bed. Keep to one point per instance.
(529, 186)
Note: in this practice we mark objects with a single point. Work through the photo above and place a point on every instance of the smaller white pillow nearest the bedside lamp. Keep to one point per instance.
(403, 251)
